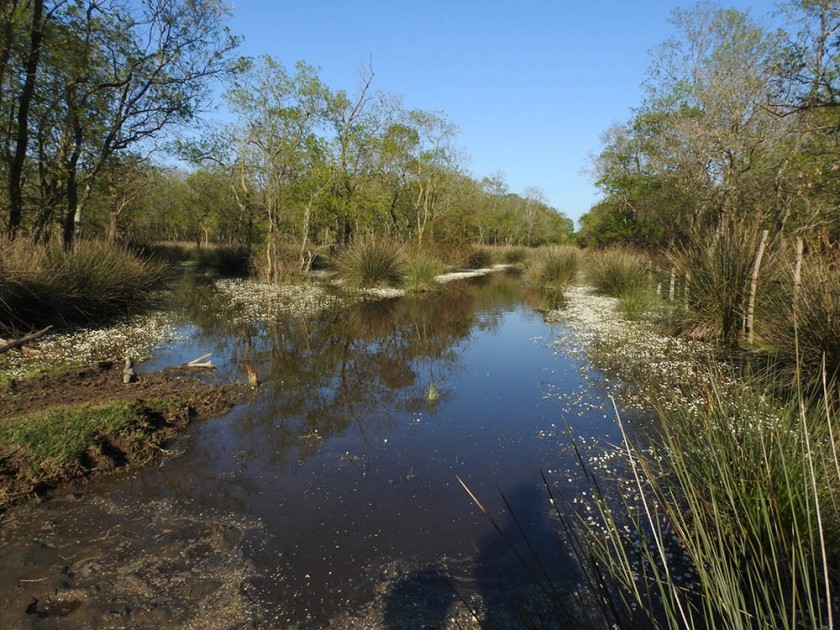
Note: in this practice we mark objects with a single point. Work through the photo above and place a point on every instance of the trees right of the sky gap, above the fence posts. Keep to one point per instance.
(740, 123)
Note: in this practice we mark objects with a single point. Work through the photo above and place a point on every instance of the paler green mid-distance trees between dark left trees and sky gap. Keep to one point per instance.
(316, 166)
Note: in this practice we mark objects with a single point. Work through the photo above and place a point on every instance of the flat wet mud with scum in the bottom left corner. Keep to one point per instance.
(97, 564)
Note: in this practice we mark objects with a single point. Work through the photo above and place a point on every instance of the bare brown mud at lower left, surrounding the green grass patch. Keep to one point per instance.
(141, 565)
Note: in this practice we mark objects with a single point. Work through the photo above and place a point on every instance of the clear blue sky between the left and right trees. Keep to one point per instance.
(531, 84)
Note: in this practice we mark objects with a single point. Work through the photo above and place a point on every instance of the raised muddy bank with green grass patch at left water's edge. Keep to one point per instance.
(164, 403)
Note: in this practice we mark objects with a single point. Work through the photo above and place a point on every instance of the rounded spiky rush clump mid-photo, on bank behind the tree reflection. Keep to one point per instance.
(372, 263)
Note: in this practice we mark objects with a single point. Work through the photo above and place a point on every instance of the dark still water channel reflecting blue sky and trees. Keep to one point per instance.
(339, 475)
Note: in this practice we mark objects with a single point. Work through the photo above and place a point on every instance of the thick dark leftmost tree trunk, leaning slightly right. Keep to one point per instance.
(25, 100)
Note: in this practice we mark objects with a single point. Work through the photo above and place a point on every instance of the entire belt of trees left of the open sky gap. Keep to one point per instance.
(90, 89)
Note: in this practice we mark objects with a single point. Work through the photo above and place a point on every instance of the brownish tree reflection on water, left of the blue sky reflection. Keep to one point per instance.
(354, 366)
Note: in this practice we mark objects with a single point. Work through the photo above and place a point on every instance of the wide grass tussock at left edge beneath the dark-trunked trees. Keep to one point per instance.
(93, 282)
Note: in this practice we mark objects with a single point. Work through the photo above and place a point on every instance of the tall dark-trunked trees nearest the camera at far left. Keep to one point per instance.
(99, 77)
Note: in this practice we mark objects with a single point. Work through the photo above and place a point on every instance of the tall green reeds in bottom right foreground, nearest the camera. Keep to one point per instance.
(732, 520)
